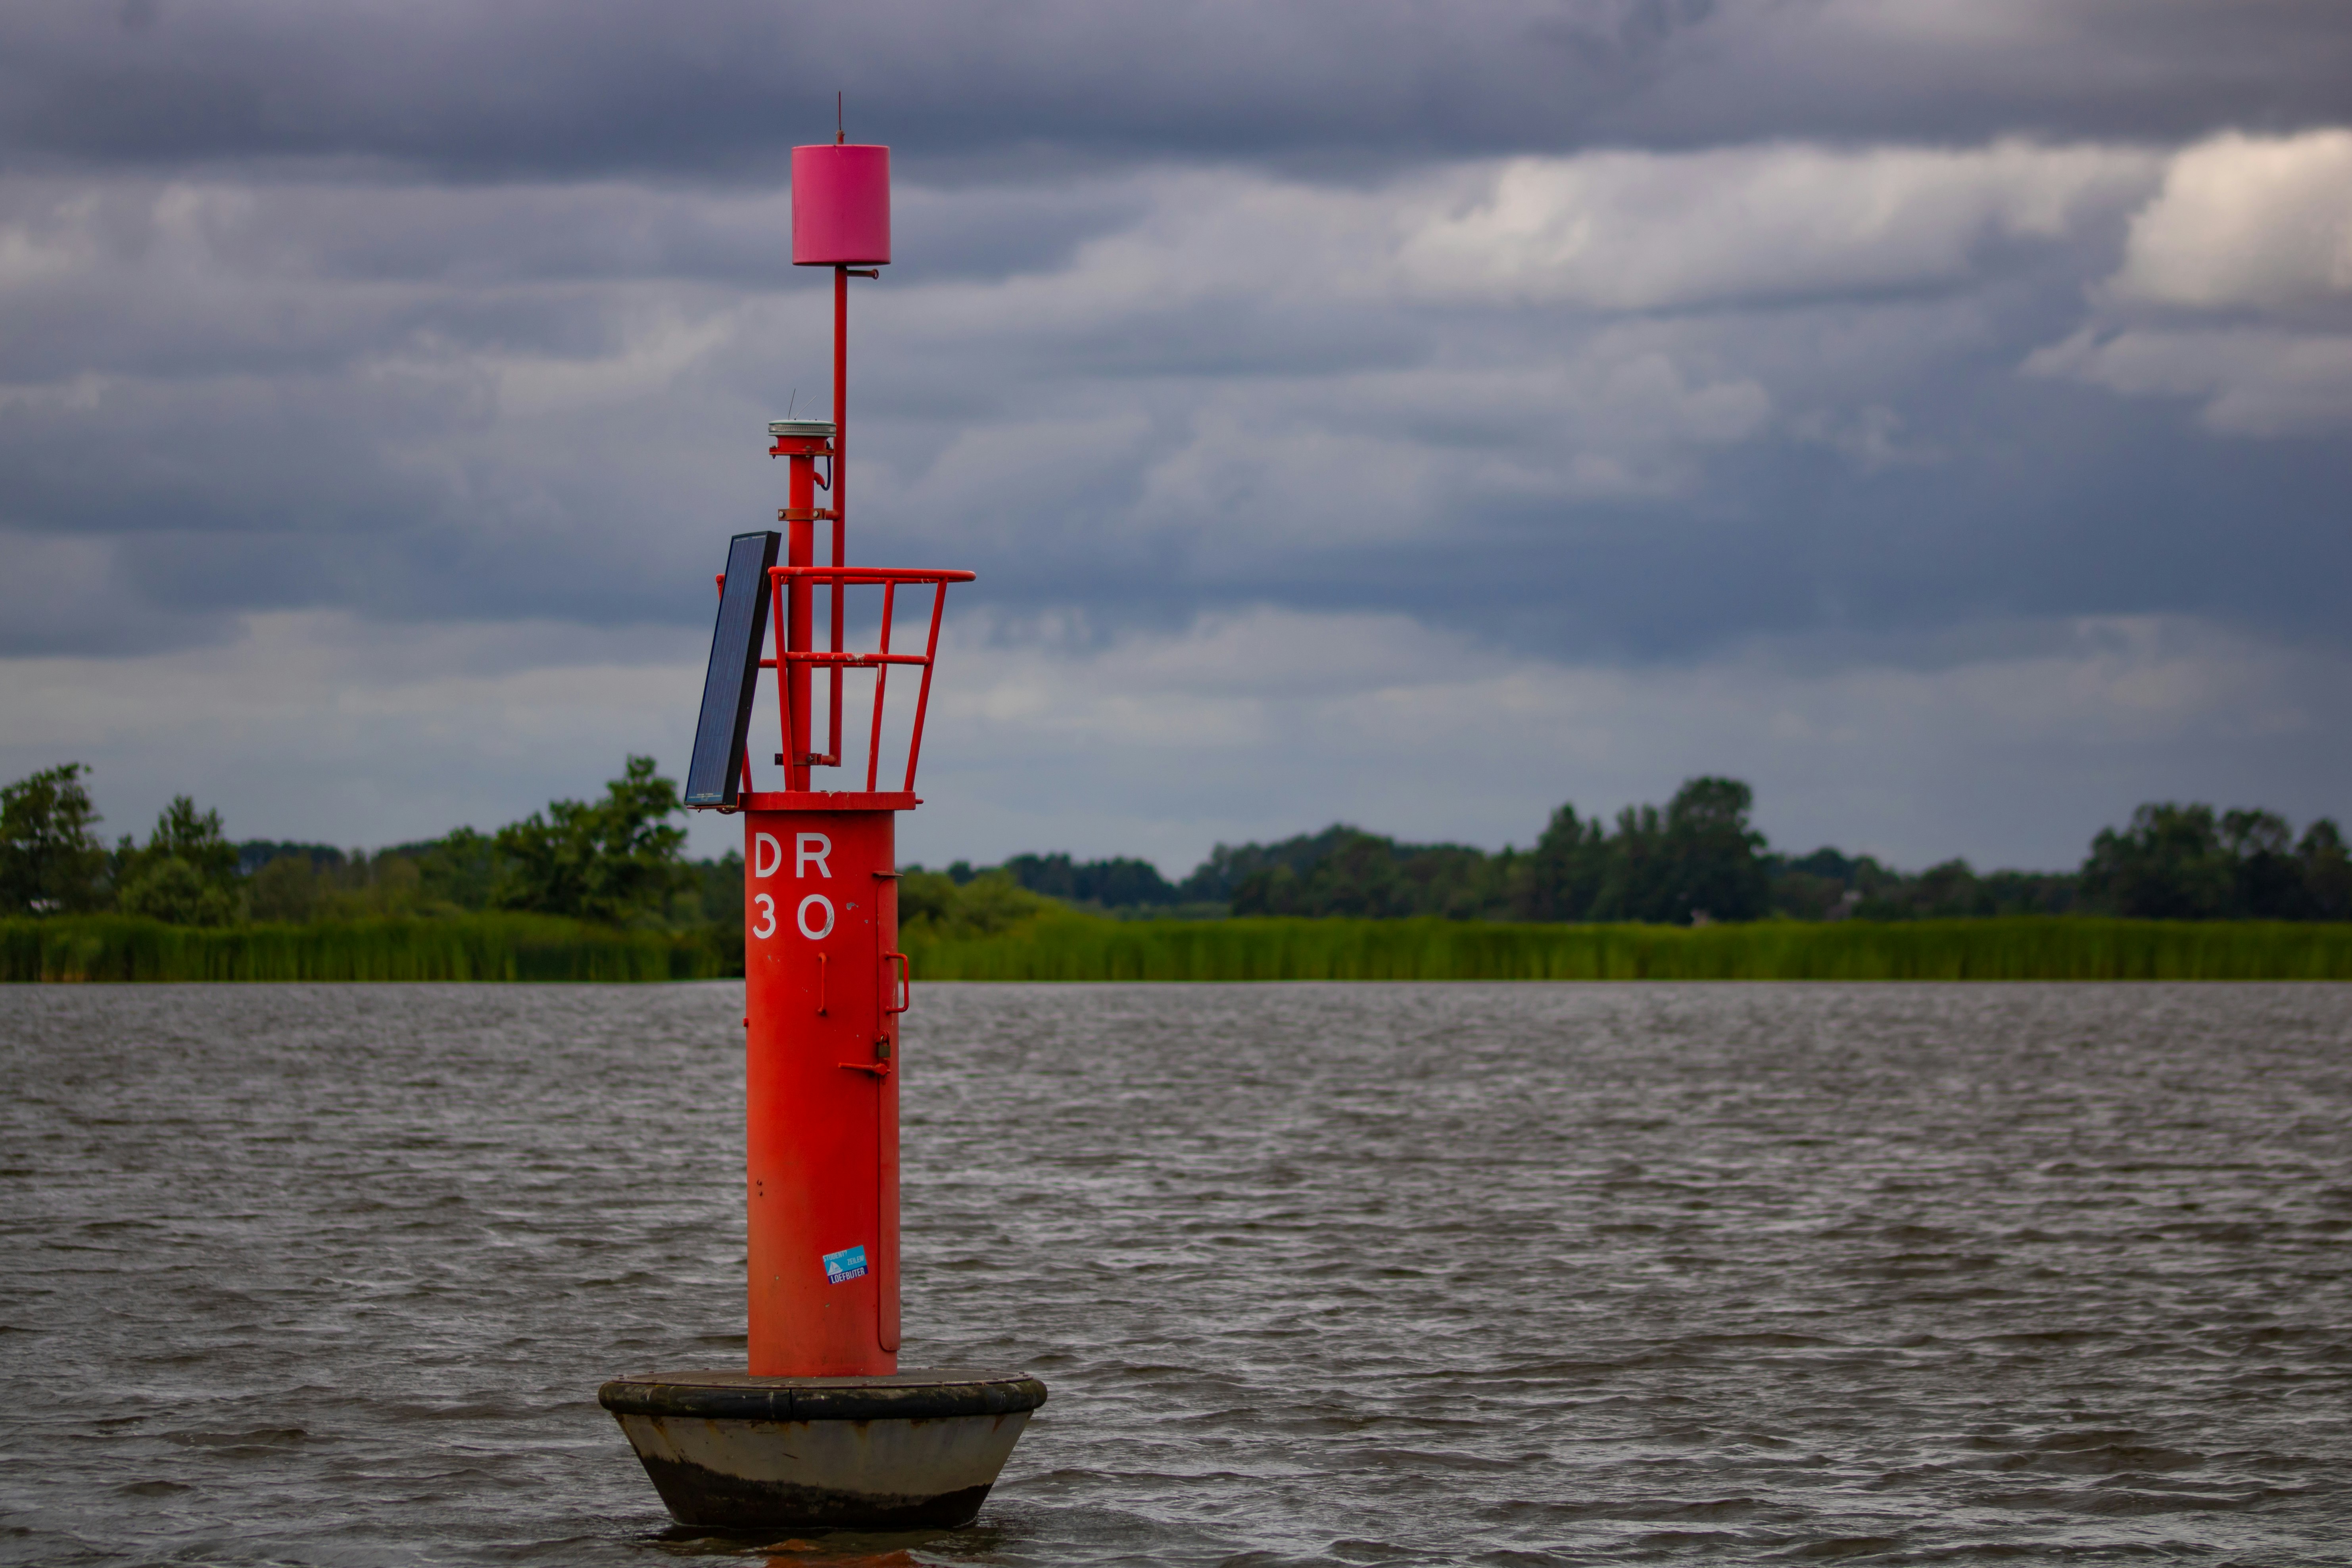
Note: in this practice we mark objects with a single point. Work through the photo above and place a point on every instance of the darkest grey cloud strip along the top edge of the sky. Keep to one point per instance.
(721, 88)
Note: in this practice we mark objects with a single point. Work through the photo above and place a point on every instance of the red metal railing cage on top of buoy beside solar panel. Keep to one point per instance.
(836, 662)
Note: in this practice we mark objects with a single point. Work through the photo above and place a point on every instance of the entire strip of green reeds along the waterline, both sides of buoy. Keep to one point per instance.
(1085, 949)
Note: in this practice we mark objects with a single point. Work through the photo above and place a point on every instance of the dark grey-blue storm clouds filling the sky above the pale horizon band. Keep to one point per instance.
(429, 314)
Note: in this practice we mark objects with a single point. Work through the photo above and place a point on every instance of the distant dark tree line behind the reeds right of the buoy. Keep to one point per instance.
(1699, 859)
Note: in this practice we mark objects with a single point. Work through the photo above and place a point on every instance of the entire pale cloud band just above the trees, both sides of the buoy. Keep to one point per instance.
(1245, 725)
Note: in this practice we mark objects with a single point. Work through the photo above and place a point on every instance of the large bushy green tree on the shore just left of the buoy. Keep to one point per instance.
(613, 862)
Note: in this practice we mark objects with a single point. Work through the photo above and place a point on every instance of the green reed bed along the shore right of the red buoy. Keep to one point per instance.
(2047, 949)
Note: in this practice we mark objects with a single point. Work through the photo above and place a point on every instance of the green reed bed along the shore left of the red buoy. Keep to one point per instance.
(450, 949)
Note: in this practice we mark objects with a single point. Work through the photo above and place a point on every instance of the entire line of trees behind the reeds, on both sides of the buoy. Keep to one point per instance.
(620, 862)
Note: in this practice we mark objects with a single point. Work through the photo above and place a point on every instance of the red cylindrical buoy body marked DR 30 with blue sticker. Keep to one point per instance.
(824, 989)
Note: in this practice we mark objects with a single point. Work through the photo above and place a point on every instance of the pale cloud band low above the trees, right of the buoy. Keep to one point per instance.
(1269, 723)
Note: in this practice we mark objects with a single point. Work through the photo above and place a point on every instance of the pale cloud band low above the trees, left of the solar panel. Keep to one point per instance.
(328, 728)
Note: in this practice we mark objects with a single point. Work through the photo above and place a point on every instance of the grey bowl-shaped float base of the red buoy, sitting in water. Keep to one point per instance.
(893, 1452)
